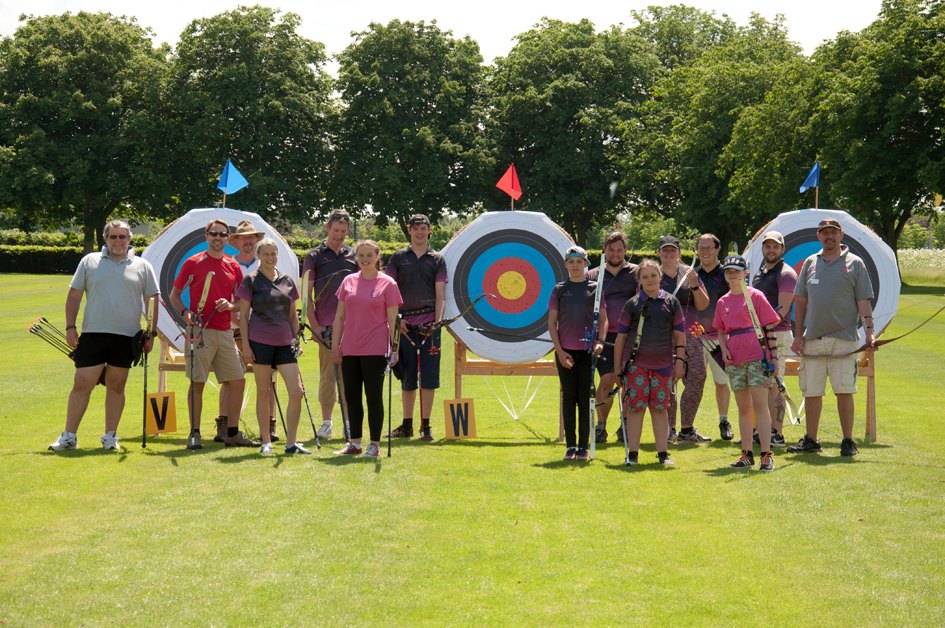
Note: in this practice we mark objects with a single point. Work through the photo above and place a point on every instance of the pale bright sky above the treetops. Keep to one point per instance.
(492, 23)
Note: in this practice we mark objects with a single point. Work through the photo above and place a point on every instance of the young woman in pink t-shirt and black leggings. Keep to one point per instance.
(368, 302)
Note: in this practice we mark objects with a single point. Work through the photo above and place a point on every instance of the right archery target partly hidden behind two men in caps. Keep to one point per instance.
(799, 229)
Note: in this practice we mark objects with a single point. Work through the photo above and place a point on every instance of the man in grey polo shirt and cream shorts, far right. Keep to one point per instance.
(833, 294)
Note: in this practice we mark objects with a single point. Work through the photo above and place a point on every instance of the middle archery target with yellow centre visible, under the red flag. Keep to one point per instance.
(518, 257)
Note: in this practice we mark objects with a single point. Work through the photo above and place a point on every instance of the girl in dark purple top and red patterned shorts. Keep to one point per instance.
(658, 357)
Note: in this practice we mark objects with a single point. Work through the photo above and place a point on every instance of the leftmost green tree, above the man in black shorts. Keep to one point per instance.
(78, 96)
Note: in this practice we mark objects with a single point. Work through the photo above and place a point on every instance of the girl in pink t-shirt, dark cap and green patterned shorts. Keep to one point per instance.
(747, 363)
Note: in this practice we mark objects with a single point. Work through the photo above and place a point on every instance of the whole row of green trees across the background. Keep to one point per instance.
(683, 115)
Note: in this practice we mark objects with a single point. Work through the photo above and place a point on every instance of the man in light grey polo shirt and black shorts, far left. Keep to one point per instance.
(117, 283)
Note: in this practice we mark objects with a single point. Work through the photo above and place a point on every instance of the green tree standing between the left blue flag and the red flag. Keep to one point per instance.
(408, 135)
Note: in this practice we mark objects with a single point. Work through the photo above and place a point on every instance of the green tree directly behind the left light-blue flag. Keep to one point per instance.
(246, 86)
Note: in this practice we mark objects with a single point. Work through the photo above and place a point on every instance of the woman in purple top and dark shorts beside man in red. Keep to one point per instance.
(269, 326)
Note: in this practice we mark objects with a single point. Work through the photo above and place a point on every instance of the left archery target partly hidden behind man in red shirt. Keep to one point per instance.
(184, 238)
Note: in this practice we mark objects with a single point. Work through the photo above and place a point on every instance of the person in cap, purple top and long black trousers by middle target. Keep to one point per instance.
(570, 319)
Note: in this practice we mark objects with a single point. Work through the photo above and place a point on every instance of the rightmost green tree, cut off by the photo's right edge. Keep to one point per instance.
(879, 123)
